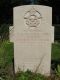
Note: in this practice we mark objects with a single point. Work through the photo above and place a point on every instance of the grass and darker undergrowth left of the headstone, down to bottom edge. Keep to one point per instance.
(6, 63)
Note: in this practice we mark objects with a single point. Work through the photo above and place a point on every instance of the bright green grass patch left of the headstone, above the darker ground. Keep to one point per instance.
(6, 52)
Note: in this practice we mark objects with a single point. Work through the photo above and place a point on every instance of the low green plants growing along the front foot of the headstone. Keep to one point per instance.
(28, 75)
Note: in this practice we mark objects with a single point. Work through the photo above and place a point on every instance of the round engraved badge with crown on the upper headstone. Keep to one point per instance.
(32, 17)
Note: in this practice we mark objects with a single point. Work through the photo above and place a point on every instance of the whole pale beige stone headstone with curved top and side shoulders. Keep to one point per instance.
(32, 35)
